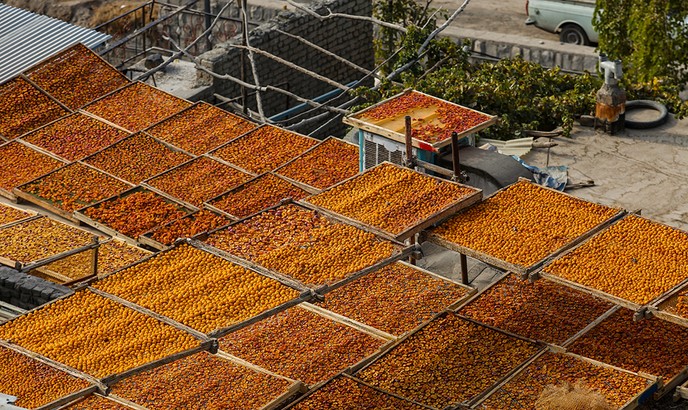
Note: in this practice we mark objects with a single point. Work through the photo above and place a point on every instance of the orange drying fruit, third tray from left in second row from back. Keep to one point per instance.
(136, 158)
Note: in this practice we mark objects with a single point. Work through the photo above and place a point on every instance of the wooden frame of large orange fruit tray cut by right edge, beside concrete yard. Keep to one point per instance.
(642, 311)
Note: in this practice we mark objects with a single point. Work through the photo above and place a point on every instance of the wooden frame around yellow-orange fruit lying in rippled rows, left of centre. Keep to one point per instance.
(305, 295)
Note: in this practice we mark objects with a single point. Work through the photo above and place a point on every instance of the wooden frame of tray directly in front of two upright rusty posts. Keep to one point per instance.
(412, 229)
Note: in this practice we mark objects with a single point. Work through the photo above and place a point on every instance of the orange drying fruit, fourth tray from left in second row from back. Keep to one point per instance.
(199, 180)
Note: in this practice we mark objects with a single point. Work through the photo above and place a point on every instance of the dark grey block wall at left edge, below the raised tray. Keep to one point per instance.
(26, 291)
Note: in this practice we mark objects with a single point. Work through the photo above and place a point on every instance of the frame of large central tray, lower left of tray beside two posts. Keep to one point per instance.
(401, 251)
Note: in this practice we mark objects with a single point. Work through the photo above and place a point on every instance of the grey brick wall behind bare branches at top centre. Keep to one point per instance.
(350, 39)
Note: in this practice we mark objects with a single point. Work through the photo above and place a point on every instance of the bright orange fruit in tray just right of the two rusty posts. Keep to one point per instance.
(523, 224)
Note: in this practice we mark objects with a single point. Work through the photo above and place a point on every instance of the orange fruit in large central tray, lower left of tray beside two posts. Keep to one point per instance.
(302, 244)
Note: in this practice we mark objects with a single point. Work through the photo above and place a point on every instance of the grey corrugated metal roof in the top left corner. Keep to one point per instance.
(27, 38)
